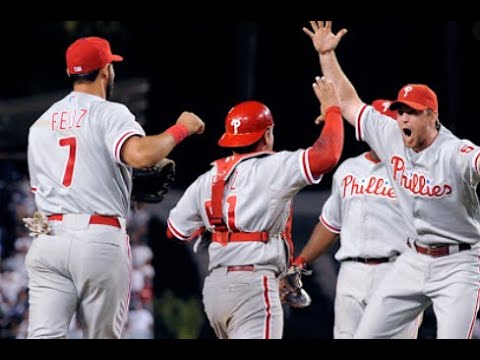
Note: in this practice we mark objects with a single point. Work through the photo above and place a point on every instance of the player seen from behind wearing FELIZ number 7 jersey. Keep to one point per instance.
(81, 152)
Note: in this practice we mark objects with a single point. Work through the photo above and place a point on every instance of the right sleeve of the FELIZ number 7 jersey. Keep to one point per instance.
(119, 126)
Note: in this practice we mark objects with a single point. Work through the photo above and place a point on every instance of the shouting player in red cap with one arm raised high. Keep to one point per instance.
(435, 175)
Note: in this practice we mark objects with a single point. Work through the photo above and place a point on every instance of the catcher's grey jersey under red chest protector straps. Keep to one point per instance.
(257, 197)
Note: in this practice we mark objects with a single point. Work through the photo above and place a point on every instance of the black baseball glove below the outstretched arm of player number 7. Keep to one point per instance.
(152, 184)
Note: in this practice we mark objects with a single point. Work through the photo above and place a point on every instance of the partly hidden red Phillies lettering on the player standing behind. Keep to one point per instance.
(372, 185)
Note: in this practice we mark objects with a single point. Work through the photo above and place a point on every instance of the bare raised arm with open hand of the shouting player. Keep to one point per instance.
(325, 42)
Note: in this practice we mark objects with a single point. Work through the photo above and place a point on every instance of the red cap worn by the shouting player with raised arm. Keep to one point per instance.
(417, 96)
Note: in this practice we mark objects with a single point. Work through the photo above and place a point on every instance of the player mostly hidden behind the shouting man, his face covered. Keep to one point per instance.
(363, 211)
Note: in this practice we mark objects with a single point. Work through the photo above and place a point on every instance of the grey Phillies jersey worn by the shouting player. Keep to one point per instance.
(436, 187)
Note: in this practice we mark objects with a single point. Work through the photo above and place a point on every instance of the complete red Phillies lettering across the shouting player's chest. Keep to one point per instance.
(417, 183)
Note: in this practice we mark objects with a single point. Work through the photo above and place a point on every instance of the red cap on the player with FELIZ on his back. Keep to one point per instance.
(89, 54)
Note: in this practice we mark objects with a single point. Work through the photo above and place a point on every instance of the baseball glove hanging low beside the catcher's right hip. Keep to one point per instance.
(291, 292)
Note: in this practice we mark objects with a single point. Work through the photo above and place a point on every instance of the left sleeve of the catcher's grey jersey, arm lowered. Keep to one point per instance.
(185, 220)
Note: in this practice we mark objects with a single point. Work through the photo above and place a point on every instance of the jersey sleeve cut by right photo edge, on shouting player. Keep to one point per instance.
(467, 157)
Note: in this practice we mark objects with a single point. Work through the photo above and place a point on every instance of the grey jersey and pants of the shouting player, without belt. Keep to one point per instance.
(436, 189)
